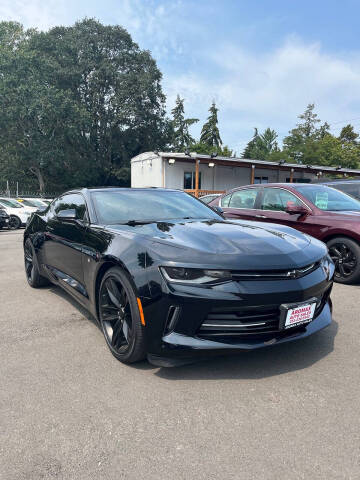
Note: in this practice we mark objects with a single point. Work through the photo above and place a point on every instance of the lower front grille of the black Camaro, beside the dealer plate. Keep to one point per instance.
(234, 322)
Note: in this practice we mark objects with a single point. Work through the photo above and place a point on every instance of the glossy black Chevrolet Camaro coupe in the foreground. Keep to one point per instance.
(168, 278)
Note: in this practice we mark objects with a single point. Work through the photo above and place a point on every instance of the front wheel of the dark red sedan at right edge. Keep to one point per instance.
(345, 253)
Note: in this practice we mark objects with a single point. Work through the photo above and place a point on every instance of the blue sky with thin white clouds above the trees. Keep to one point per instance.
(262, 62)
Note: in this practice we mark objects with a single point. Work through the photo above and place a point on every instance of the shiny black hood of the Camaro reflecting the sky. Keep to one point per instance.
(230, 244)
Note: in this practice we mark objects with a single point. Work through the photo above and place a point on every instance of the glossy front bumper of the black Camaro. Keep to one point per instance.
(198, 308)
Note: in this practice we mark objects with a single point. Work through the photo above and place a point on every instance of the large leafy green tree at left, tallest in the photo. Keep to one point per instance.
(78, 102)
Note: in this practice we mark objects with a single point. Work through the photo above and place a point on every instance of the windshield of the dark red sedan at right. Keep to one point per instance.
(329, 199)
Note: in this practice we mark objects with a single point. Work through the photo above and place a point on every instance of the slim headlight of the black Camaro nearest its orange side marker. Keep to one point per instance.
(194, 275)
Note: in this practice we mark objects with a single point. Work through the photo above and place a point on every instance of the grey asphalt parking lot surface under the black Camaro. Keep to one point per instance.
(69, 410)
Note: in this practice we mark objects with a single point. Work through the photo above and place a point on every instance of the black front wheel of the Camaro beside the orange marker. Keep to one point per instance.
(120, 318)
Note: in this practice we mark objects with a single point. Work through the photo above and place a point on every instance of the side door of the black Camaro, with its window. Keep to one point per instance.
(64, 242)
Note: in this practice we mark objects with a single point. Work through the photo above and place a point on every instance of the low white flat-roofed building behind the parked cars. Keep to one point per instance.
(203, 174)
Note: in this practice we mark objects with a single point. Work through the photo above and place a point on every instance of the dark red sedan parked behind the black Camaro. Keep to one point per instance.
(321, 211)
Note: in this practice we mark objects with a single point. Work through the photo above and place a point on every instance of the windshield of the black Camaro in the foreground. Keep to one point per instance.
(114, 207)
